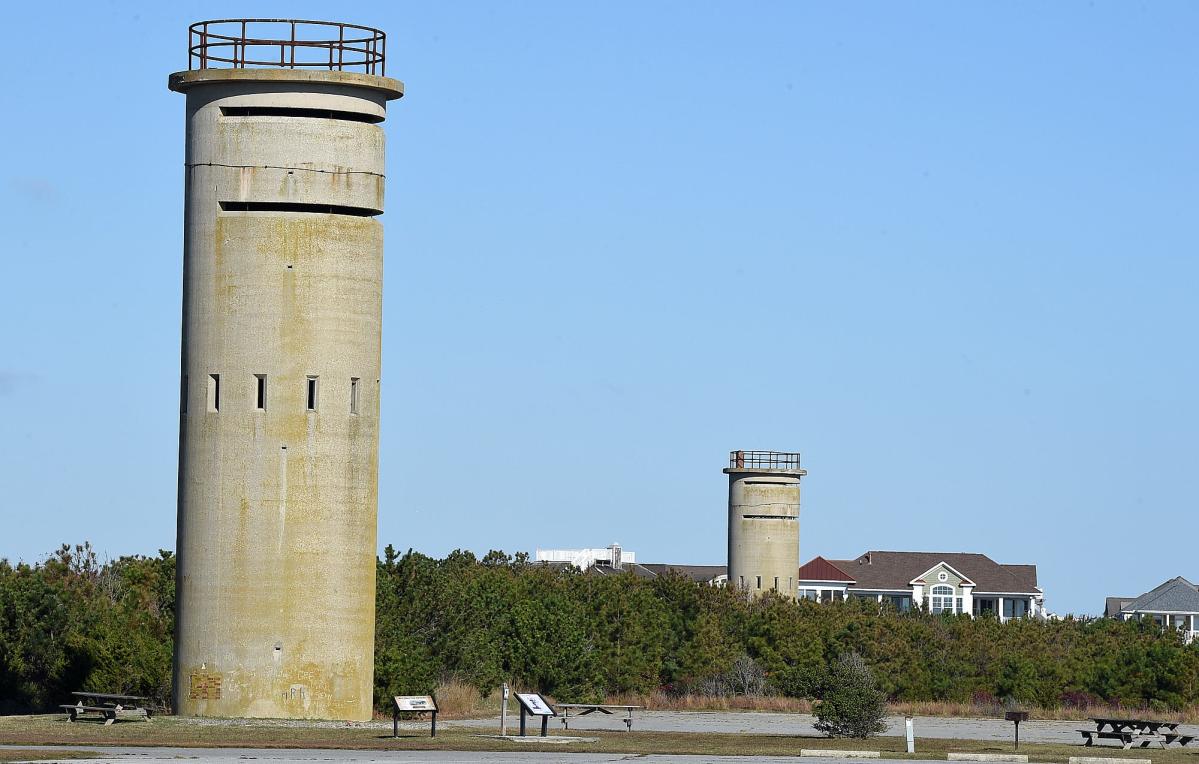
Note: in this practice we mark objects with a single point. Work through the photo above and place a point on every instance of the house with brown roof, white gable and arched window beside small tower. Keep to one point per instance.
(942, 582)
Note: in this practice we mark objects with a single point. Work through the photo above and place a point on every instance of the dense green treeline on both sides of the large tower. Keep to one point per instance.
(71, 623)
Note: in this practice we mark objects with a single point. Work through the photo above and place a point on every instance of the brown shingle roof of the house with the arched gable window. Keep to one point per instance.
(896, 570)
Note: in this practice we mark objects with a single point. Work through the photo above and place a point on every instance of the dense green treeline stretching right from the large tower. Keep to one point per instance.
(581, 637)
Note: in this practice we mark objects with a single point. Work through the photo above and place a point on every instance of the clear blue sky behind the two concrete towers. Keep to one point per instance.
(948, 251)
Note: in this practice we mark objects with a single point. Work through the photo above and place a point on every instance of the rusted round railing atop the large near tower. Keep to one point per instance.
(286, 44)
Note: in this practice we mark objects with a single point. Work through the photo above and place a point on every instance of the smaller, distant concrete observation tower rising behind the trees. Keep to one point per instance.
(764, 521)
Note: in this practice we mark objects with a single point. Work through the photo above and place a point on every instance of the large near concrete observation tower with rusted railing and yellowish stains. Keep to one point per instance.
(280, 407)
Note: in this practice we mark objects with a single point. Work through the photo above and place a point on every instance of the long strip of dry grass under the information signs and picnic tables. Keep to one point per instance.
(167, 731)
